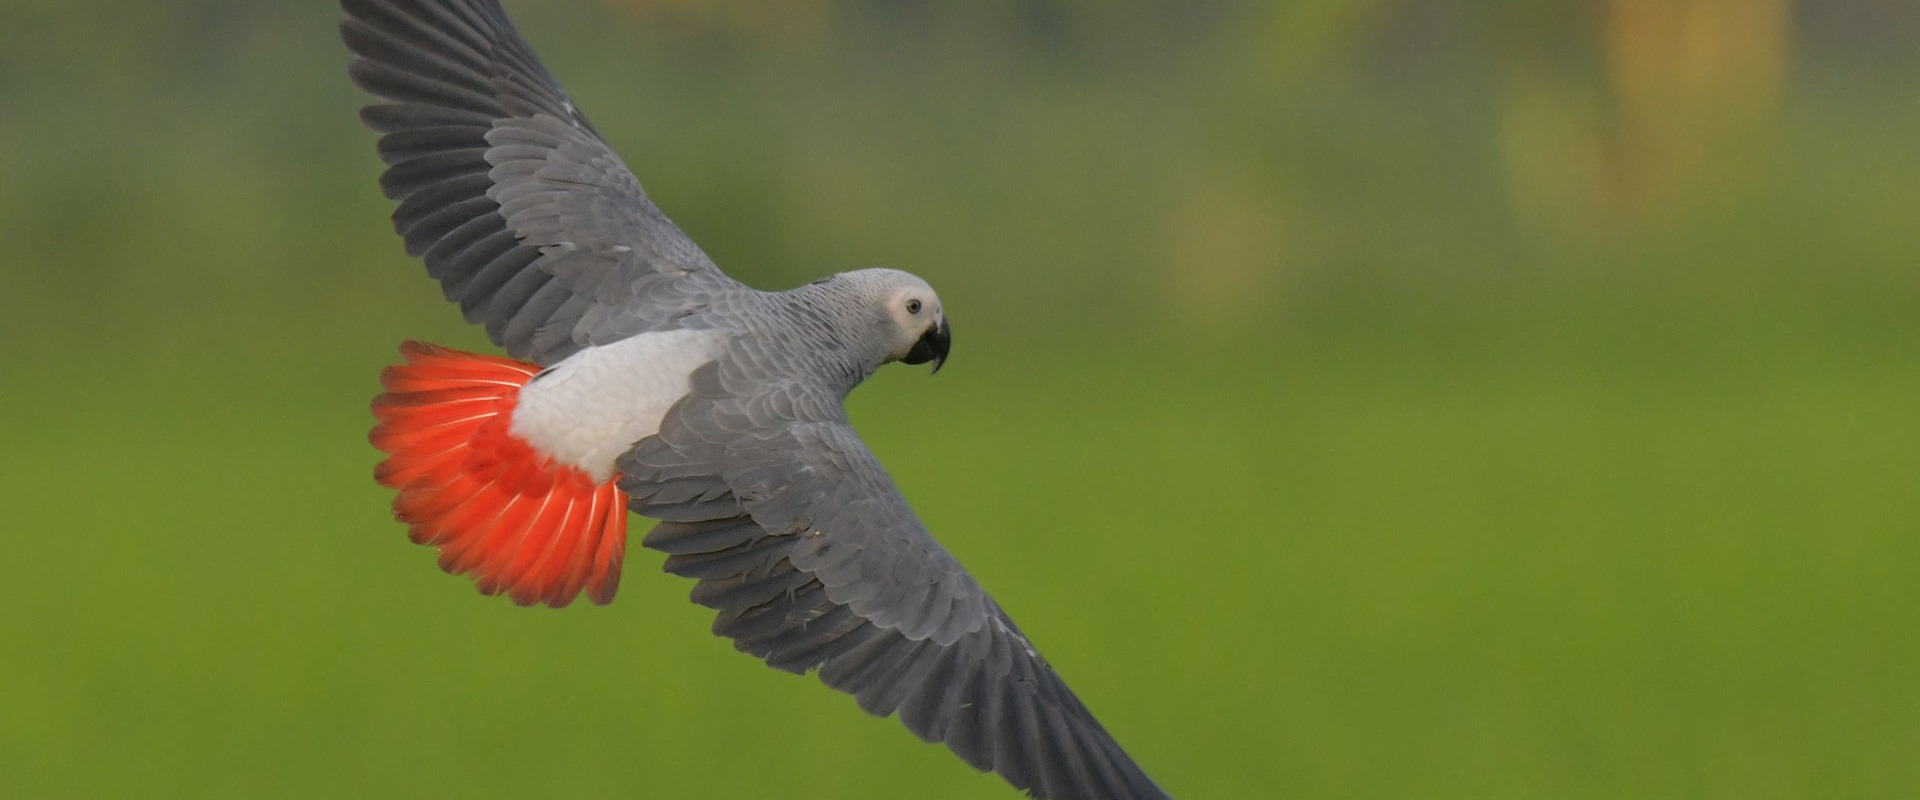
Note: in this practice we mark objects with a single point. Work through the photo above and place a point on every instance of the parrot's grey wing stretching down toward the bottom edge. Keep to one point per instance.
(813, 559)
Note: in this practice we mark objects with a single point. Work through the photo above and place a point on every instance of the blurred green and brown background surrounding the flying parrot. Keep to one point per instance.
(1355, 400)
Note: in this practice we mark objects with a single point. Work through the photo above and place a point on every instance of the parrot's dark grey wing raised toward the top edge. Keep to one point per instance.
(517, 206)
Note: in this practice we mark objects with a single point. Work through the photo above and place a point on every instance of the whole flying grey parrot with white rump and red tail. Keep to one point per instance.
(654, 383)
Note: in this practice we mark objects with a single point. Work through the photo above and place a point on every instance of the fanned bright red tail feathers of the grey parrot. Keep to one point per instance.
(514, 519)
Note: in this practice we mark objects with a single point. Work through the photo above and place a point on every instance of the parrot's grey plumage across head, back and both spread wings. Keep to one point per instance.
(769, 500)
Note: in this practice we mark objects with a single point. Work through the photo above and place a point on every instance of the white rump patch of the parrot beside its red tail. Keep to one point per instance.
(592, 408)
